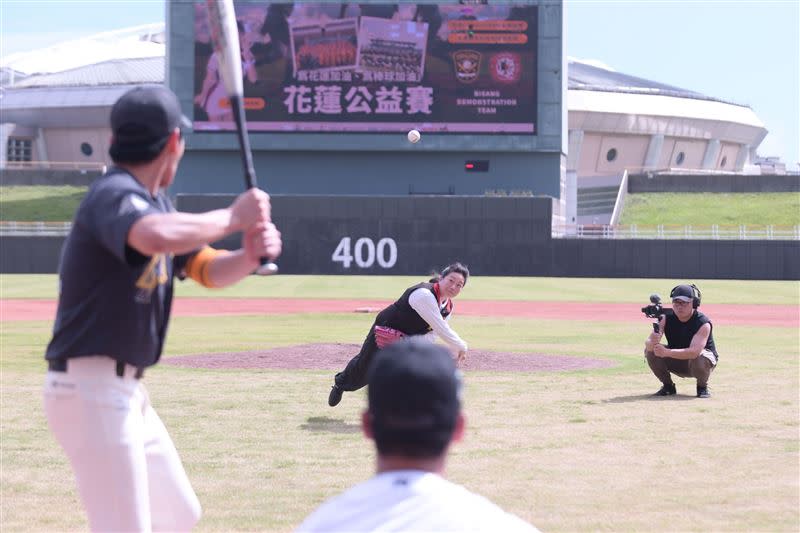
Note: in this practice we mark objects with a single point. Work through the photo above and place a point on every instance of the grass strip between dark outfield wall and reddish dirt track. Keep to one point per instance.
(635, 291)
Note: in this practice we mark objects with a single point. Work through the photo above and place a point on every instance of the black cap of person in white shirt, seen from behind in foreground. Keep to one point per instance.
(414, 398)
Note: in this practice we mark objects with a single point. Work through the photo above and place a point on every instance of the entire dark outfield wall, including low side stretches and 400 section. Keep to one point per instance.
(501, 236)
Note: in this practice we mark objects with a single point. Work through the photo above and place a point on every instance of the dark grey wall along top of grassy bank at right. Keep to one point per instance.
(712, 183)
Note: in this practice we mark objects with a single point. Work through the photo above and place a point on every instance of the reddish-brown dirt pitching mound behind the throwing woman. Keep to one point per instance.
(335, 356)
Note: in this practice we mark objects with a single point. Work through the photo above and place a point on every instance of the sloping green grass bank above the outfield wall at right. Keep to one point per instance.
(706, 209)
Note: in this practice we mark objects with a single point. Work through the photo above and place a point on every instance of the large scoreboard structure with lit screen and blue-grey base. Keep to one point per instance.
(332, 88)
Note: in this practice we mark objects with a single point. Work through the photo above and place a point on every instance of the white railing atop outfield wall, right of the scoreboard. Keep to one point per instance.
(664, 231)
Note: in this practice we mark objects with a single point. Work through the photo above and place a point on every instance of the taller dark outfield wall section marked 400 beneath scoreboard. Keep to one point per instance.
(403, 234)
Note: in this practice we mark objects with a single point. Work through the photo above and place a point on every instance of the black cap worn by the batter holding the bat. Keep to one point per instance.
(141, 122)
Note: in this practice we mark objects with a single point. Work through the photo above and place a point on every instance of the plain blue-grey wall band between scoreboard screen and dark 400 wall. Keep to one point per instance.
(370, 173)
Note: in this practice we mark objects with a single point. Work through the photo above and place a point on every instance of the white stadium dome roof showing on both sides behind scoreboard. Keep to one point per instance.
(115, 60)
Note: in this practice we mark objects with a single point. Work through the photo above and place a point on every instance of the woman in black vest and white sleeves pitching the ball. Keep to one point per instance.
(423, 309)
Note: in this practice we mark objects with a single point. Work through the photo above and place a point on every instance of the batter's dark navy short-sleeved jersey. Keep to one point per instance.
(113, 300)
